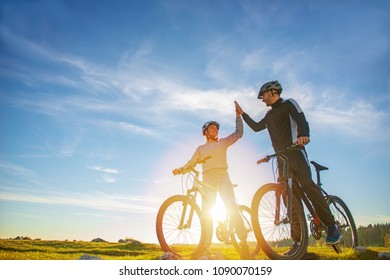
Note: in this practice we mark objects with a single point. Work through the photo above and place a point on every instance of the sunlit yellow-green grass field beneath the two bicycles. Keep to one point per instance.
(73, 250)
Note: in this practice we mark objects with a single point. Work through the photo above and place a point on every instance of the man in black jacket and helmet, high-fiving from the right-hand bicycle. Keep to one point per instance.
(287, 125)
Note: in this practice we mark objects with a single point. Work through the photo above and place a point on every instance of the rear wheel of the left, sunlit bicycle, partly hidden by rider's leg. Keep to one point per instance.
(254, 245)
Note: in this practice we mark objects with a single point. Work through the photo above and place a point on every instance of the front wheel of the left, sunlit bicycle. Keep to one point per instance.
(188, 242)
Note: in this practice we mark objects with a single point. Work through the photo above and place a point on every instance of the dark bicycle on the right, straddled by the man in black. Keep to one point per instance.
(278, 216)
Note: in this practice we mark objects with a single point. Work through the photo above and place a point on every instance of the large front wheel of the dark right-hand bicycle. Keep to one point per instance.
(275, 239)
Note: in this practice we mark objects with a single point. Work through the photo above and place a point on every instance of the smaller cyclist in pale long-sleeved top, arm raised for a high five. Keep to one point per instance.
(215, 174)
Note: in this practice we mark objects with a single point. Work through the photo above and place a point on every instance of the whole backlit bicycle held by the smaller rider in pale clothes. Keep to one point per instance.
(181, 221)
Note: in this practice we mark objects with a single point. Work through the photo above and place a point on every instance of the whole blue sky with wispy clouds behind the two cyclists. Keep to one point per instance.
(100, 100)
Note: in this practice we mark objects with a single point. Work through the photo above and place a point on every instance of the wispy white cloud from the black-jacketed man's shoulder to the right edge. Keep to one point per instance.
(333, 110)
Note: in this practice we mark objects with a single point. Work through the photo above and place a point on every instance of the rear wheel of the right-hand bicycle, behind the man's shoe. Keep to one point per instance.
(345, 223)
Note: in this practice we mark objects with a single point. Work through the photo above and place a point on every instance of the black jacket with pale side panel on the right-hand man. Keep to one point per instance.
(285, 123)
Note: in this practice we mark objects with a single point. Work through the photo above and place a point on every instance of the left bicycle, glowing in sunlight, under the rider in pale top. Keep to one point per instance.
(180, 223)
